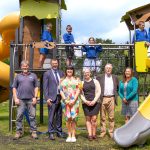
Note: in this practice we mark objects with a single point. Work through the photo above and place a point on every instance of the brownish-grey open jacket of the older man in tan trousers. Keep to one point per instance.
(101, 80)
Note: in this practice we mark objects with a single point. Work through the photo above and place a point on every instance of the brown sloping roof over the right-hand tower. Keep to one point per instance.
(134, 16)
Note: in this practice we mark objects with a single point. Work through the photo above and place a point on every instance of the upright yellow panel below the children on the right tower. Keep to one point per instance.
(140, 57)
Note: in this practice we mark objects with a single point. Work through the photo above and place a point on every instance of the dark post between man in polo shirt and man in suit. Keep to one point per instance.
(41, 99)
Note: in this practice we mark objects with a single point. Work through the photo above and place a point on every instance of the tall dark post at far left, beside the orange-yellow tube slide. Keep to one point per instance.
(10, 85)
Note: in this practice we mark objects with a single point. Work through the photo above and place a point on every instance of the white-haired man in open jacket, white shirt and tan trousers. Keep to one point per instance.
(109, 85)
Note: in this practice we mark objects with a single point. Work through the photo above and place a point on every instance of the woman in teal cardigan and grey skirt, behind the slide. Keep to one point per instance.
(128, 92)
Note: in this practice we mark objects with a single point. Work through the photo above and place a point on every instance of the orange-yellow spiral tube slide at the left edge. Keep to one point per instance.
(8, 26)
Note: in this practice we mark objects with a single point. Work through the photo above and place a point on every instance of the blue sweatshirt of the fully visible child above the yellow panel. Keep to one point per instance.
(140, 36)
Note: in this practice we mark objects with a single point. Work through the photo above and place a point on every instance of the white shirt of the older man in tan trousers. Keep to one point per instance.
(109, 86)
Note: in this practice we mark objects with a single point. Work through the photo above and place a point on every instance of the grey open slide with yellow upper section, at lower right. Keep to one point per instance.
(137, 130)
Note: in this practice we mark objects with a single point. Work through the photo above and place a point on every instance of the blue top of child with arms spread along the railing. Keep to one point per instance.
(92, 51)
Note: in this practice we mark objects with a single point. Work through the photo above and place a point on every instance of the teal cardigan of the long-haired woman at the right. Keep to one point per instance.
(131, 90)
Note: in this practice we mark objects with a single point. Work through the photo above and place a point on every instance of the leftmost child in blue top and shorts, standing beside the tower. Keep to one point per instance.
(46, 36)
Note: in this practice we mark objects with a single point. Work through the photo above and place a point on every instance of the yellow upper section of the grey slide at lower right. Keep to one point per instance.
(144, 109)
